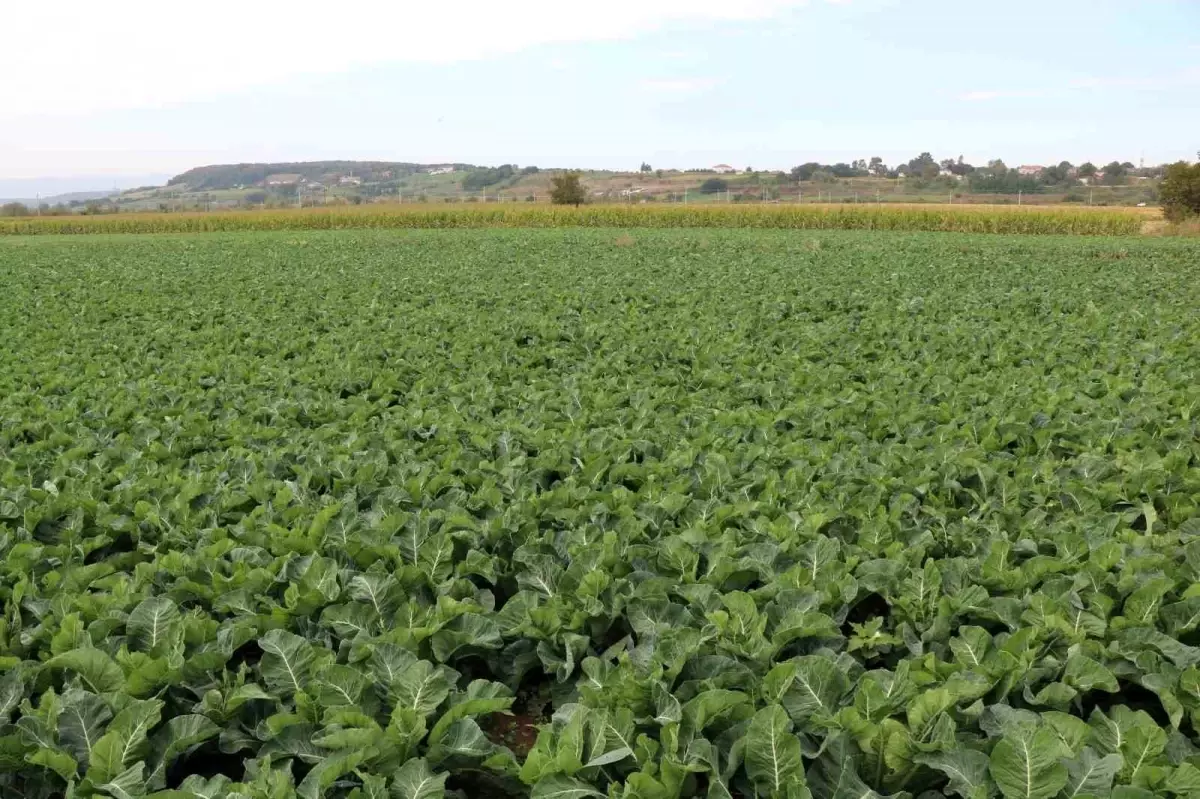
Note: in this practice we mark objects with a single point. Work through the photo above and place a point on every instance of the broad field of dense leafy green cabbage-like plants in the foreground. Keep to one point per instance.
(593, 513)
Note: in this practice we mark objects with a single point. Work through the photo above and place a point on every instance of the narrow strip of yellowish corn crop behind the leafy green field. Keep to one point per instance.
(961, 219)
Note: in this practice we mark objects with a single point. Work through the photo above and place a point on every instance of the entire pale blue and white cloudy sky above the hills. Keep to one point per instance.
(129, 92)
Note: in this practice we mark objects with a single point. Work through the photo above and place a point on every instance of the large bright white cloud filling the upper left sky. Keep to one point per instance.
(83, 57)
